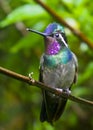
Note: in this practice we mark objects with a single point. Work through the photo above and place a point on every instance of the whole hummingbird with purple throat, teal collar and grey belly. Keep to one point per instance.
(58, 69)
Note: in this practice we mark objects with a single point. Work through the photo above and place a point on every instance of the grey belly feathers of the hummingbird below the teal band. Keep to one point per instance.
(60, 76)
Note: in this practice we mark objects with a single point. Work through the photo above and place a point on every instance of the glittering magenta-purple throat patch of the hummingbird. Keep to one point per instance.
(53, 48)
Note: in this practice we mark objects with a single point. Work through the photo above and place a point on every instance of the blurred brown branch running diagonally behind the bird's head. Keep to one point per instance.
(78, 33)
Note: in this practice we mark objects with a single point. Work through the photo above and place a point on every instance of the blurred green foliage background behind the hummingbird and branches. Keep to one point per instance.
(20, 51)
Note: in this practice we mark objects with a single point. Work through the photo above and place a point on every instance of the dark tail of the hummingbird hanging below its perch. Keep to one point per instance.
(52, 108)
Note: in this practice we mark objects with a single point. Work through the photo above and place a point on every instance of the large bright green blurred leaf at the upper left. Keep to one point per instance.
(23, 13)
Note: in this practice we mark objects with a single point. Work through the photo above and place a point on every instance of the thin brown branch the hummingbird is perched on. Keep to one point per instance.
(43, 86)
